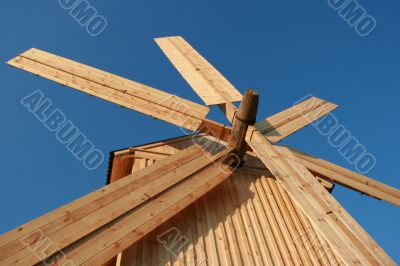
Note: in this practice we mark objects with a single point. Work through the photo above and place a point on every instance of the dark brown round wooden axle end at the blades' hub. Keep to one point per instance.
(245, 116)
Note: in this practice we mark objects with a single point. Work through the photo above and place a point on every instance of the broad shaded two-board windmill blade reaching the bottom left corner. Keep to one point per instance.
(98, 226)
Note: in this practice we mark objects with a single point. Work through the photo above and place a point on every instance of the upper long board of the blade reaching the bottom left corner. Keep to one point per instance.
(121, 197)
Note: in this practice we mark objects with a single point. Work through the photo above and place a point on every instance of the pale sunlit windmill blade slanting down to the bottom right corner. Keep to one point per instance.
(353, 245)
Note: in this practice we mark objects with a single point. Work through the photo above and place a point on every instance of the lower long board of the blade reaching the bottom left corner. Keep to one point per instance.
(128, 229)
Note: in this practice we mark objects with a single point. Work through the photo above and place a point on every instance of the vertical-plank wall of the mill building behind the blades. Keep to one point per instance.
(248, 219)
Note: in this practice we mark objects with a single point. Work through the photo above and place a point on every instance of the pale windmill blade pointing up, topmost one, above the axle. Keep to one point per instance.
(212, 87)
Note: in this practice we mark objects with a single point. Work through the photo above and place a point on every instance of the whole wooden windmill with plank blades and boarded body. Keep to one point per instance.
(223, 196)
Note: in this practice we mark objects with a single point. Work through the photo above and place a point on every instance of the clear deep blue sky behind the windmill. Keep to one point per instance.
(283, 49)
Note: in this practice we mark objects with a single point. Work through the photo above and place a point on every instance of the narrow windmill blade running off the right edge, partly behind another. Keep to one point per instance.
(347, 178)
